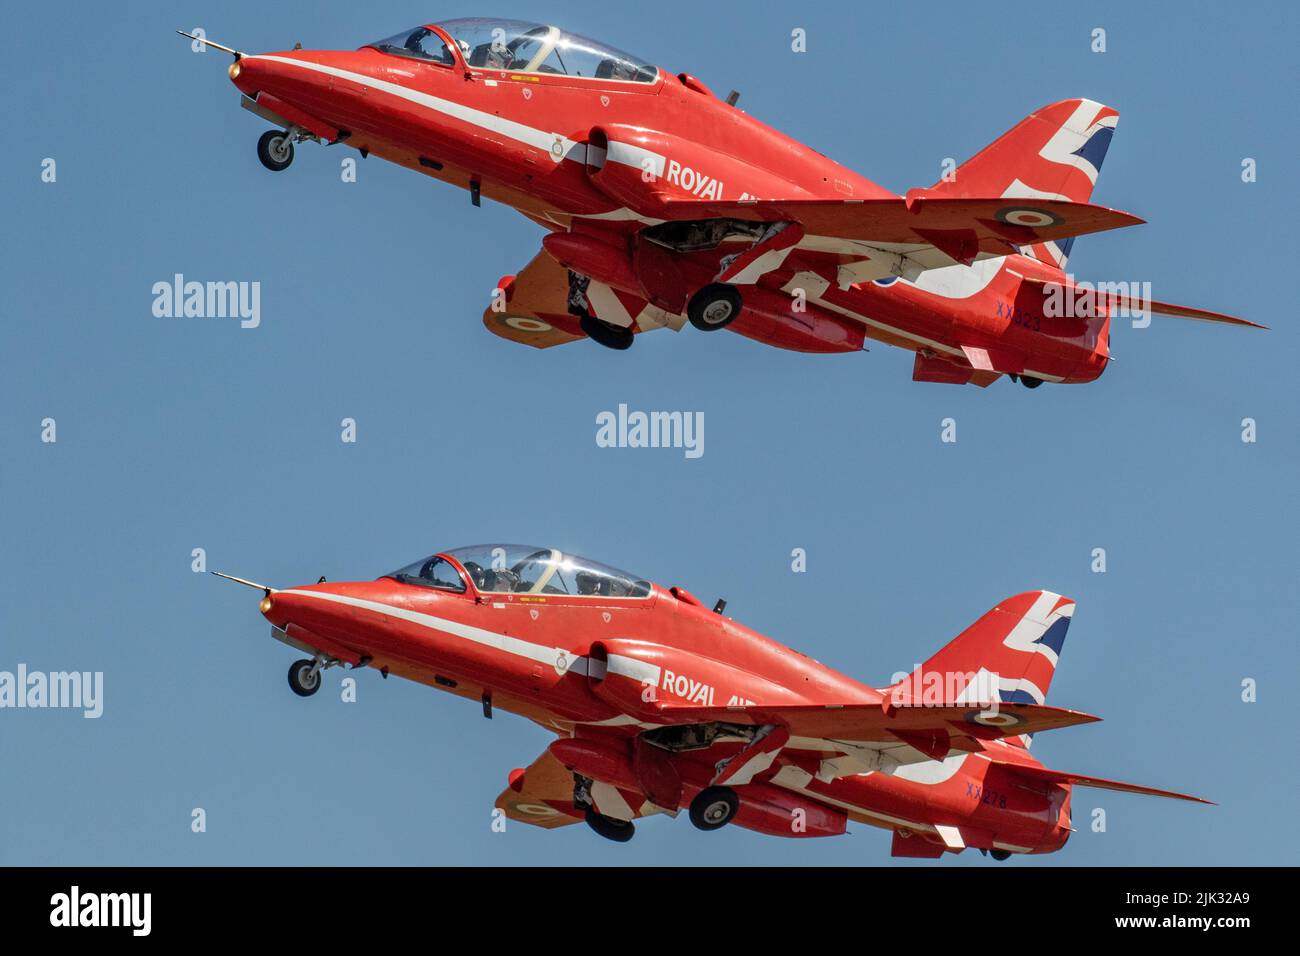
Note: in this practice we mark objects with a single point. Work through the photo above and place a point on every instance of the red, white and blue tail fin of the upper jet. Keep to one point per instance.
(1055, 153)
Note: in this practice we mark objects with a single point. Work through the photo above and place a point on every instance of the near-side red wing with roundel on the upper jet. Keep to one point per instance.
(963, 231)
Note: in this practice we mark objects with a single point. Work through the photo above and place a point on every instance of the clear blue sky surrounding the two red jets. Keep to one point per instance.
(187, 434)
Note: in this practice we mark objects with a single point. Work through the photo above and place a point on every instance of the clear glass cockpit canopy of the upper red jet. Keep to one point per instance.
(519, 47)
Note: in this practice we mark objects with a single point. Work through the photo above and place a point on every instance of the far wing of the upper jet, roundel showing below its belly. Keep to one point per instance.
(534, 308)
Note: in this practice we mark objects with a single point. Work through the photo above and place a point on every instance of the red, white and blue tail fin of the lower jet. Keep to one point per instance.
(1011, 652)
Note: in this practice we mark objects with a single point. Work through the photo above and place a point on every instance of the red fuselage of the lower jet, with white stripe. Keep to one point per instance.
(552, 657)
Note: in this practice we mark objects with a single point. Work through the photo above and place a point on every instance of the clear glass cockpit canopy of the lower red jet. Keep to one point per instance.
(521, 570)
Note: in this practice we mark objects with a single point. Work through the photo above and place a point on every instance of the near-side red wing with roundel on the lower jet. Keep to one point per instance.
(933, 730)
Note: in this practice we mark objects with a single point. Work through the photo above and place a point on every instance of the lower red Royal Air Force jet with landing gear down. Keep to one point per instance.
(660, 703)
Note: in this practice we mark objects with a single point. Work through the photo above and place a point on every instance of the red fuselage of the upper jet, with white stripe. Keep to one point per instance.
(565, 152)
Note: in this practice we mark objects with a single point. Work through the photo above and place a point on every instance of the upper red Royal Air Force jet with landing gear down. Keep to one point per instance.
(665, 205)
